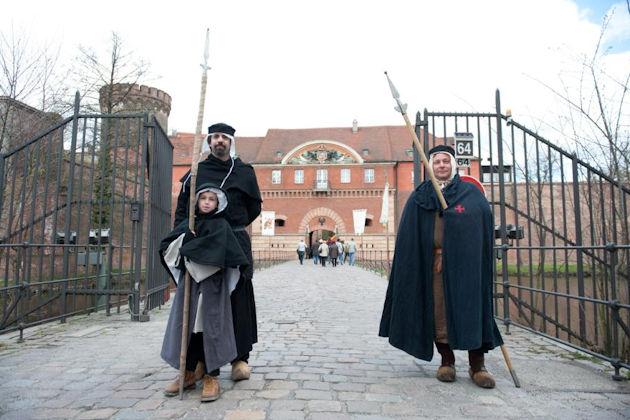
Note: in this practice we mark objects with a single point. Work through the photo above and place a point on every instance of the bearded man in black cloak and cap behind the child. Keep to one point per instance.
(238, 179)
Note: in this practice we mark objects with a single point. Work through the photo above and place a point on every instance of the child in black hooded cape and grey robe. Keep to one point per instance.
(211, 254)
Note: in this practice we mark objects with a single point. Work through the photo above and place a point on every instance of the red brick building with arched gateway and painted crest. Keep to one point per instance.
(313, 179)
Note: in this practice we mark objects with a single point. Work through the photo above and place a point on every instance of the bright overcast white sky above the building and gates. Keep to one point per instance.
(308, 64)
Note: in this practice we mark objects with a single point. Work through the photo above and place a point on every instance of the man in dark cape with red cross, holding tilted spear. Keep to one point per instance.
(440, 287)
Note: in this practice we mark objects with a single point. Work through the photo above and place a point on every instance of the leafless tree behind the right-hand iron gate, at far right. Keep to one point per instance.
(598, 124)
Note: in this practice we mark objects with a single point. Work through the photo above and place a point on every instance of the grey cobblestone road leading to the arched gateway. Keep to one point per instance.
(318, 357)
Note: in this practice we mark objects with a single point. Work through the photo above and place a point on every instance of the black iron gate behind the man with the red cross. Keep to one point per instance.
(561, 226)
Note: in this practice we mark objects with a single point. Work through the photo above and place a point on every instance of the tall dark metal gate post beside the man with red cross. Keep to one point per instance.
(504, 243)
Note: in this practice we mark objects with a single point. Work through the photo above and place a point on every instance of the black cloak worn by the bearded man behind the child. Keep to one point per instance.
(244, 206)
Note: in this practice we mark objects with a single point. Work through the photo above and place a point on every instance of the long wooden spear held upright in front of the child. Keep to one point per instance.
(191, 211)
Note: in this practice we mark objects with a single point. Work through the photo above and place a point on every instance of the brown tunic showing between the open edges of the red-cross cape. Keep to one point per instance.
(439, 306)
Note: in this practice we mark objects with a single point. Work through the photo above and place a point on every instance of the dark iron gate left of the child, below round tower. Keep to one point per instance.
(80, 205)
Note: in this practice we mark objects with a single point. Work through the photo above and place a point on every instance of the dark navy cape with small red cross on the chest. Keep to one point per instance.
(467, 272)
